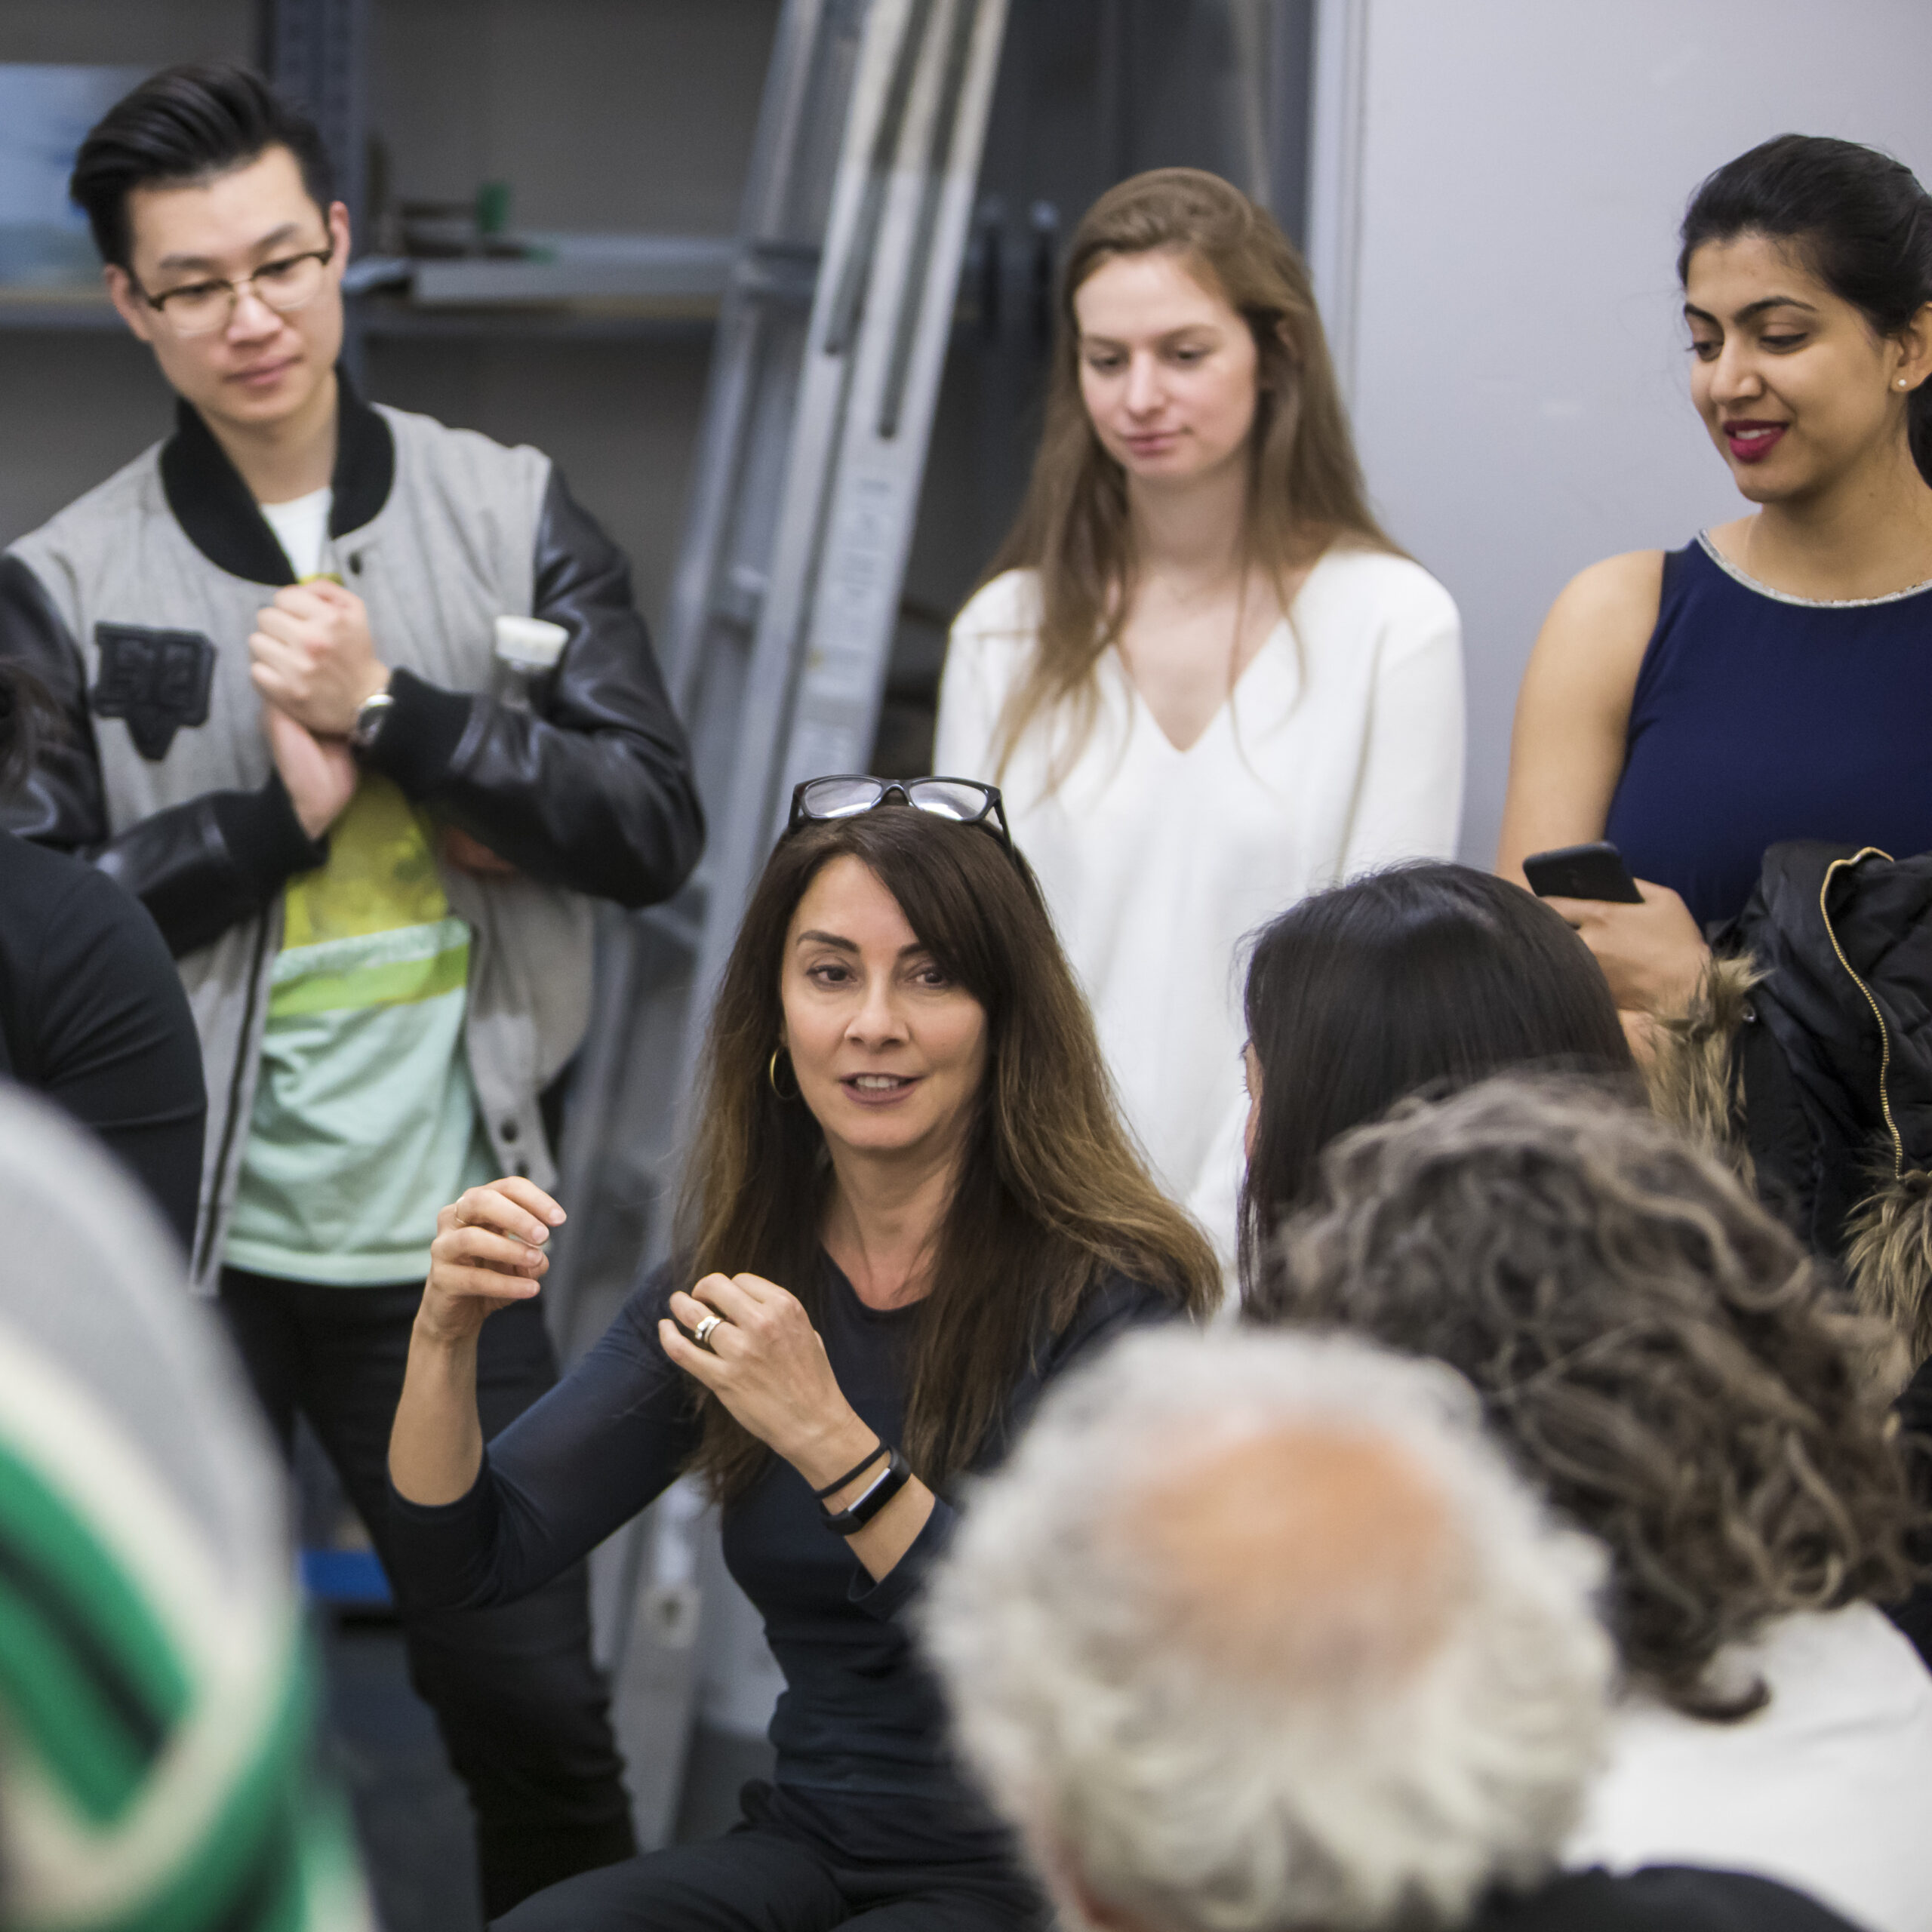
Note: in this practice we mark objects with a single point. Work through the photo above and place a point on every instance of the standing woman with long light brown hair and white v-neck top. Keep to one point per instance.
(1205, 677)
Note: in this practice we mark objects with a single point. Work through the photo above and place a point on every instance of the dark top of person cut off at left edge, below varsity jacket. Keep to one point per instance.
(94, 1017)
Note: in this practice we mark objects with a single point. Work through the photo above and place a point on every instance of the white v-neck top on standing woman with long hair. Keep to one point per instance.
(1340, 751)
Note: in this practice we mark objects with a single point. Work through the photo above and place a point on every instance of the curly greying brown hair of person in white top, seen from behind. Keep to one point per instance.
(1666, 1359)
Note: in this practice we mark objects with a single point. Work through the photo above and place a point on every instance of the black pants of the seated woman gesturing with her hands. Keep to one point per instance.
(760, 1879)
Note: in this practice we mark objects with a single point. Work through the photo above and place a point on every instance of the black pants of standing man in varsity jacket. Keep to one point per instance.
(523, 1709)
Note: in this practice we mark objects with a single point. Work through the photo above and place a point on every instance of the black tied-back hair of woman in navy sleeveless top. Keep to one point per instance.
(1852, 217)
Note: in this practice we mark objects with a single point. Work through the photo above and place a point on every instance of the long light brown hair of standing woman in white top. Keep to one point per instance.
(1305, 484)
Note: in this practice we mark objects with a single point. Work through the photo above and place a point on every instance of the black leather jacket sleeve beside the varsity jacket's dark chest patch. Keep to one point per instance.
(200, 867)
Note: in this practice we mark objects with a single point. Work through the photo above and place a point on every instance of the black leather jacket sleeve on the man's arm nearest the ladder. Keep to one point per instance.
(596, 789)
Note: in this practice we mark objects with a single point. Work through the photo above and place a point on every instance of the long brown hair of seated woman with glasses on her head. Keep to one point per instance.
(1052, 1195)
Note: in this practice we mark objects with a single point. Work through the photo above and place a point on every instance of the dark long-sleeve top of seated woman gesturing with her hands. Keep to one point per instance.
(861, 1728)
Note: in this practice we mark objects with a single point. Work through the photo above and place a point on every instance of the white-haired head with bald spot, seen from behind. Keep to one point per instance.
(1259, 1634)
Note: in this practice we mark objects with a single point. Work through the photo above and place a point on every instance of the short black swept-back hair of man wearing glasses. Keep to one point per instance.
(188, 125)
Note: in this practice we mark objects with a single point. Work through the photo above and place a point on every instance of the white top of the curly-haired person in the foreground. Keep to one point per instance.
(1829, 1788)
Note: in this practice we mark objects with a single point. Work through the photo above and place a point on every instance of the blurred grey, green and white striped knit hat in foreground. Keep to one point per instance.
(156, 1740)
